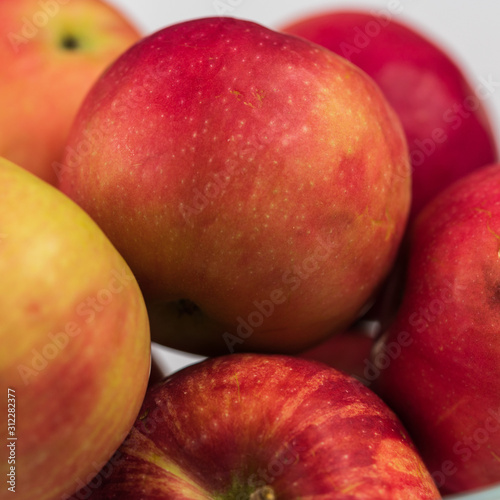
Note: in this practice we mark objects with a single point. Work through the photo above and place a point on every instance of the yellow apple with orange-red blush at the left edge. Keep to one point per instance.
(74, 335)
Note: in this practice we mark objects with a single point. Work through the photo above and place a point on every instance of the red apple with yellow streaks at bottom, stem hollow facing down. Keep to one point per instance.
(228, 426)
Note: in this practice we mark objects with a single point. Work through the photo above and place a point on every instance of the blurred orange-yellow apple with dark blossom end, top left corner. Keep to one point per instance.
(42, 83)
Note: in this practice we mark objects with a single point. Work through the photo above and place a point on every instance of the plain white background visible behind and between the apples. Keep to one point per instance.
(467, 30)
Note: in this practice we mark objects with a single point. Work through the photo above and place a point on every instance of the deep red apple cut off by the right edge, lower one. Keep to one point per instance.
(445, 381)
